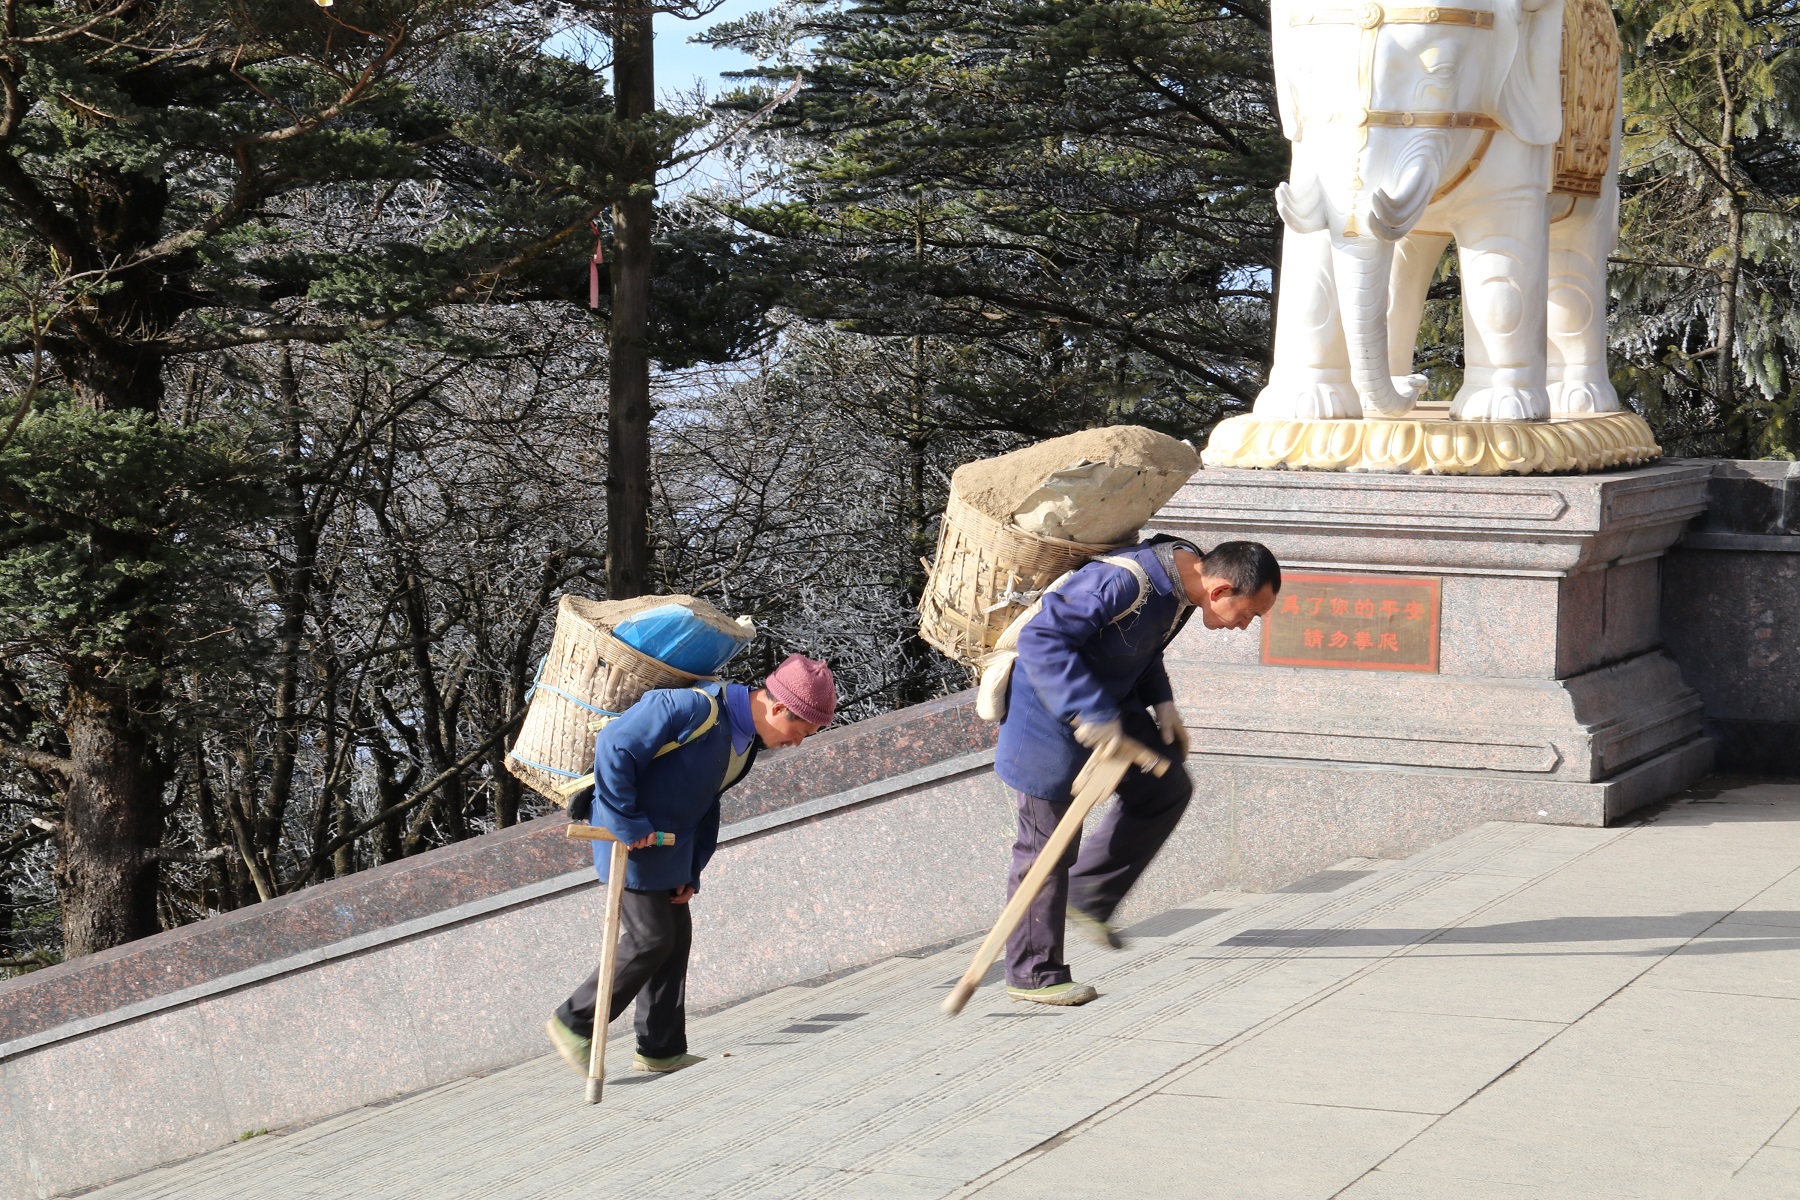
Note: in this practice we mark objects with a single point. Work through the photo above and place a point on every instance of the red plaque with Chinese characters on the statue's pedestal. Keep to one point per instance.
(1356, 623)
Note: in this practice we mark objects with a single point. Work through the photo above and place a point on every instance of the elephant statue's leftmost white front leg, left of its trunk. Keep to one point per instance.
(1311, 373)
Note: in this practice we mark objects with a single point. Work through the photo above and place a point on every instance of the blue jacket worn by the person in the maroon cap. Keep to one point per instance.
(638, 793)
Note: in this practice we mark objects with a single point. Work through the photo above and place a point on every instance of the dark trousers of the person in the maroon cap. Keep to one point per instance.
(654, 944)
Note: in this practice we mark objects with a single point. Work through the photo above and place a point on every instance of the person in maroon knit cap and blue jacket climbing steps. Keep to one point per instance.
(660, 769)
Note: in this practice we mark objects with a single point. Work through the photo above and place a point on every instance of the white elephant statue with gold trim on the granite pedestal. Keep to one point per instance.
(1419, 125)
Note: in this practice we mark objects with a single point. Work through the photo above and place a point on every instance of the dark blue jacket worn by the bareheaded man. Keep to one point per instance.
(1077, 665)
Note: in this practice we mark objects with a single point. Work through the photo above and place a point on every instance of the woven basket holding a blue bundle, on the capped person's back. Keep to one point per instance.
(586, 677)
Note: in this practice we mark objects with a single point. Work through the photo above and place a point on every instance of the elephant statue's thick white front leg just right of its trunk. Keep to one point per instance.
(1506, 258)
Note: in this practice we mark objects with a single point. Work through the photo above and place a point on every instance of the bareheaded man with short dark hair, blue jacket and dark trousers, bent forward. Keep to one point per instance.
(1090, 672)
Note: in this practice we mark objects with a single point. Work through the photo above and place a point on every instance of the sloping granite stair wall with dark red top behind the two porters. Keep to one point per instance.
(870, 841)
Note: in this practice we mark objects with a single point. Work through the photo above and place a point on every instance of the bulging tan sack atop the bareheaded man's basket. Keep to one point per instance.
(1097, 487)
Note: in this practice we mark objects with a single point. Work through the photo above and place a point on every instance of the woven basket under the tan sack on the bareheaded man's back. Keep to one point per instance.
(987, 571)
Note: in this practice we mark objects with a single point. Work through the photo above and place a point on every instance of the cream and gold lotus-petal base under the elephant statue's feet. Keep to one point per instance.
(1428, 442)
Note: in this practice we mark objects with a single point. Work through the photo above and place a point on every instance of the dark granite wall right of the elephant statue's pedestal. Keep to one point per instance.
(1732, 614)
